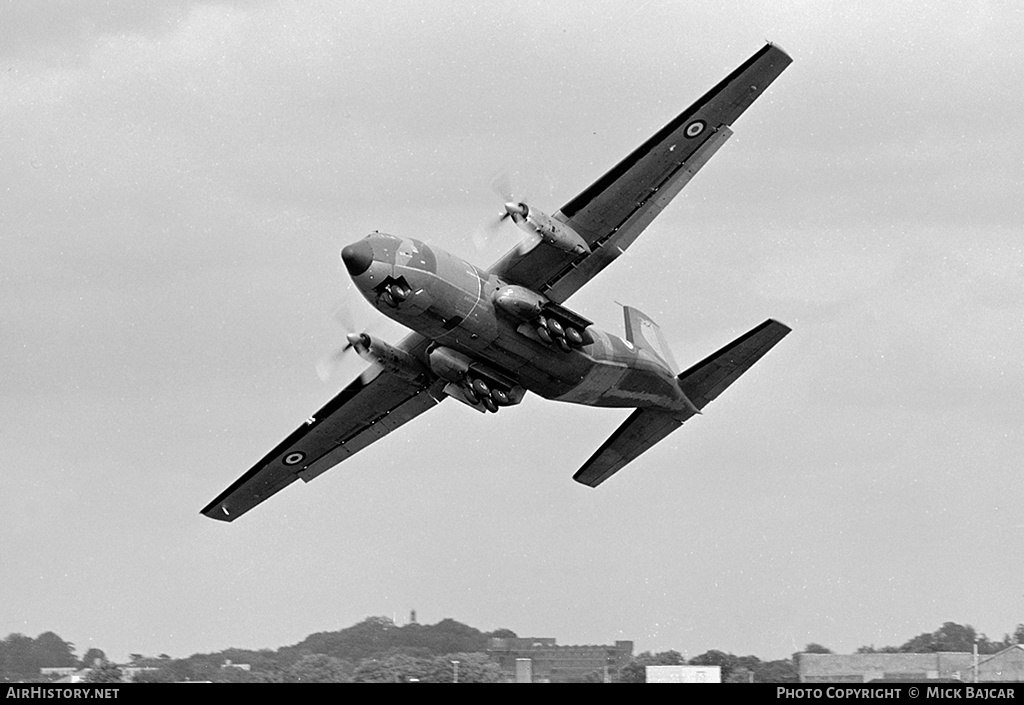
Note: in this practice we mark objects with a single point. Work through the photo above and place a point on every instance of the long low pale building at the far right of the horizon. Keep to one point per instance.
(1008, 666)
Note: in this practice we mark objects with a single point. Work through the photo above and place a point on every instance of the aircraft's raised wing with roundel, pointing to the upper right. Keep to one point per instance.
(613, 212)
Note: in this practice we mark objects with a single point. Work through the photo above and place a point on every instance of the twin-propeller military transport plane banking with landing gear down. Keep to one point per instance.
(486, 338)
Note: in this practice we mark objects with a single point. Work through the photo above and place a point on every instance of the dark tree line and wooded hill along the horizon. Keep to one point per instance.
(378, 651)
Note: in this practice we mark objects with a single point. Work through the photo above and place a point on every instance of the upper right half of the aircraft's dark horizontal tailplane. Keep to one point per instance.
(710, 378)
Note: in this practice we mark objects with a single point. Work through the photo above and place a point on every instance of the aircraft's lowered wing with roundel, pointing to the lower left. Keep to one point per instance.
(366, 411)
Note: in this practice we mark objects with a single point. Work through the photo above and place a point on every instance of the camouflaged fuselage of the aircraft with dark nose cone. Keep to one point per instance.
(455, 305)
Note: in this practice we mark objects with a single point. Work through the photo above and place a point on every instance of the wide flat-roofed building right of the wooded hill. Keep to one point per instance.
(545, 661)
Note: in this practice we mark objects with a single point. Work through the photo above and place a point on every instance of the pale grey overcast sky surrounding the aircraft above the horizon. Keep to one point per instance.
(178, 180)
